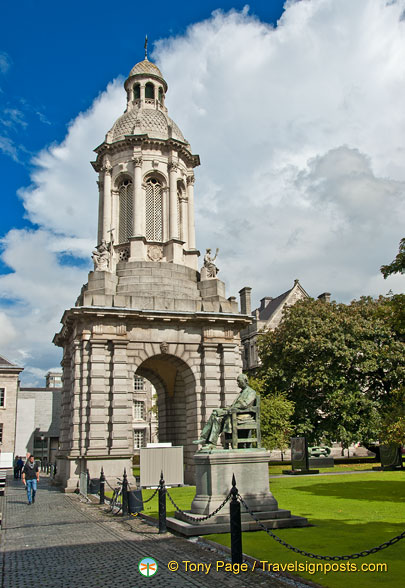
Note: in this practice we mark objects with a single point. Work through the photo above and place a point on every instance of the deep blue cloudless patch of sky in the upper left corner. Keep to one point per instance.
(58, 56)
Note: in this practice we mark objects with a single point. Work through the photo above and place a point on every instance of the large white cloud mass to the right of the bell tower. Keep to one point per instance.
(300, 130)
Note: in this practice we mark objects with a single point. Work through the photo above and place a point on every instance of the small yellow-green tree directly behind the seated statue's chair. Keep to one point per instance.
(275, 422)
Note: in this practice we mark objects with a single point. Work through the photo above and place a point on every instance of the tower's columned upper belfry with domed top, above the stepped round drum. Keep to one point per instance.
(146, 178)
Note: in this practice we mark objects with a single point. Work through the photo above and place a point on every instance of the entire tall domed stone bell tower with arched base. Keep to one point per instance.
(146, 309)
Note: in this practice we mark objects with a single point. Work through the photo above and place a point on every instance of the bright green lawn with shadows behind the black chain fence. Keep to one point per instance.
(350, 513)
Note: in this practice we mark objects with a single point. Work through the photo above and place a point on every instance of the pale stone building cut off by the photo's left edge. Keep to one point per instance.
(9, 384)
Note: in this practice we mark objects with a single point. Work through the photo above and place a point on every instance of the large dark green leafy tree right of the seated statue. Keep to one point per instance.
(339, 364)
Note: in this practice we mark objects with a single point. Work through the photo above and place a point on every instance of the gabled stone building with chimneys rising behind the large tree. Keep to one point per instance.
(267, 317)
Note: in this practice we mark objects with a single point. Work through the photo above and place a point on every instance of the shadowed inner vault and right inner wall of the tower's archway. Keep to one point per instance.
(175, 385)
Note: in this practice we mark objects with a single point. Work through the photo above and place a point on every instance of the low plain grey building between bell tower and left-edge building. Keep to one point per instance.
(38, 419)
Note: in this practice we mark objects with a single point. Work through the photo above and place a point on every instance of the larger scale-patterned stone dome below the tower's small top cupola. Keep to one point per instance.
(155, 123)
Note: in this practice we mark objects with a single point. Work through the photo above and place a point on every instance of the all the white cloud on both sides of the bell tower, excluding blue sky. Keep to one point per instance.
(301, 132)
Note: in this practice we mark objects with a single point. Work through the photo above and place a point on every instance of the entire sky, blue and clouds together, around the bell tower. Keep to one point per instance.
(297, 115)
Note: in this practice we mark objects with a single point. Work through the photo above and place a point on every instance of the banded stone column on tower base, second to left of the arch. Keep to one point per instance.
(98, 399)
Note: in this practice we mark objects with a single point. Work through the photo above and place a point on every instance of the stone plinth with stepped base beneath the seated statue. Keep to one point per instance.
(214, 469)
